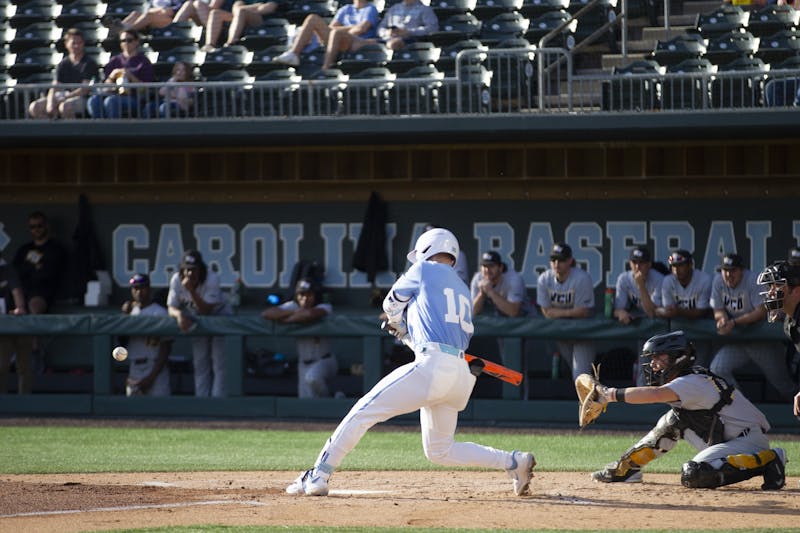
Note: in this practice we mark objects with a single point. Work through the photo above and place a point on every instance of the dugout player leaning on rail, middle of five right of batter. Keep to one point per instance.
(638, 290)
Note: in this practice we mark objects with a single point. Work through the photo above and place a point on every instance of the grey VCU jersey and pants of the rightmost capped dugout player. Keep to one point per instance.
(768, 356)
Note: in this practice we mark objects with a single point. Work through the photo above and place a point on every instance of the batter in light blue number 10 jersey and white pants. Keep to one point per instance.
(431, 305)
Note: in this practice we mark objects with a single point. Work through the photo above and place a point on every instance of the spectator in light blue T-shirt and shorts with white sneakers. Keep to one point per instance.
(353, 26)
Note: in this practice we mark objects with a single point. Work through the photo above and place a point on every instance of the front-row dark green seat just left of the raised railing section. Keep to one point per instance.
(418, 97)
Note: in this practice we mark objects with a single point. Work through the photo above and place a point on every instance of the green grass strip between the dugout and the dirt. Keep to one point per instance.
(31, 450)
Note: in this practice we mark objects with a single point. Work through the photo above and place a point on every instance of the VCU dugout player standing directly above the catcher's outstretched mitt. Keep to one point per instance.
(567, 291)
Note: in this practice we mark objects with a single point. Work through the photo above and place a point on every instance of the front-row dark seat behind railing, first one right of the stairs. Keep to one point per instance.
(634, 87)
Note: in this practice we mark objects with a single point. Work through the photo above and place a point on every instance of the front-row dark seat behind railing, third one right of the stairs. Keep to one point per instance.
(739, 91)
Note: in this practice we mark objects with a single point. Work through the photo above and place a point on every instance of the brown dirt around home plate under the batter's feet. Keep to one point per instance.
(457, 499)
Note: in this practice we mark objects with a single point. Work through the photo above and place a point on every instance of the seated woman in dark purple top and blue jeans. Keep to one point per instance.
(130, 66)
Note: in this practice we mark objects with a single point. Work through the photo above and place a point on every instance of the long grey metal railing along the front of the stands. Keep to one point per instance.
(494, 81)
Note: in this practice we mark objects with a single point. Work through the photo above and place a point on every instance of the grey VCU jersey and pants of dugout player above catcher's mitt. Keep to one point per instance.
(575, 291)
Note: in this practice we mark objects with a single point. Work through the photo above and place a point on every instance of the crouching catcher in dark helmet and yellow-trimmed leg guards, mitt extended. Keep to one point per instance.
(712, 416)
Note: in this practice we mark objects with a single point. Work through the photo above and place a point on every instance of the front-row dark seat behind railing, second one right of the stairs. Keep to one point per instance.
(687, 92)
